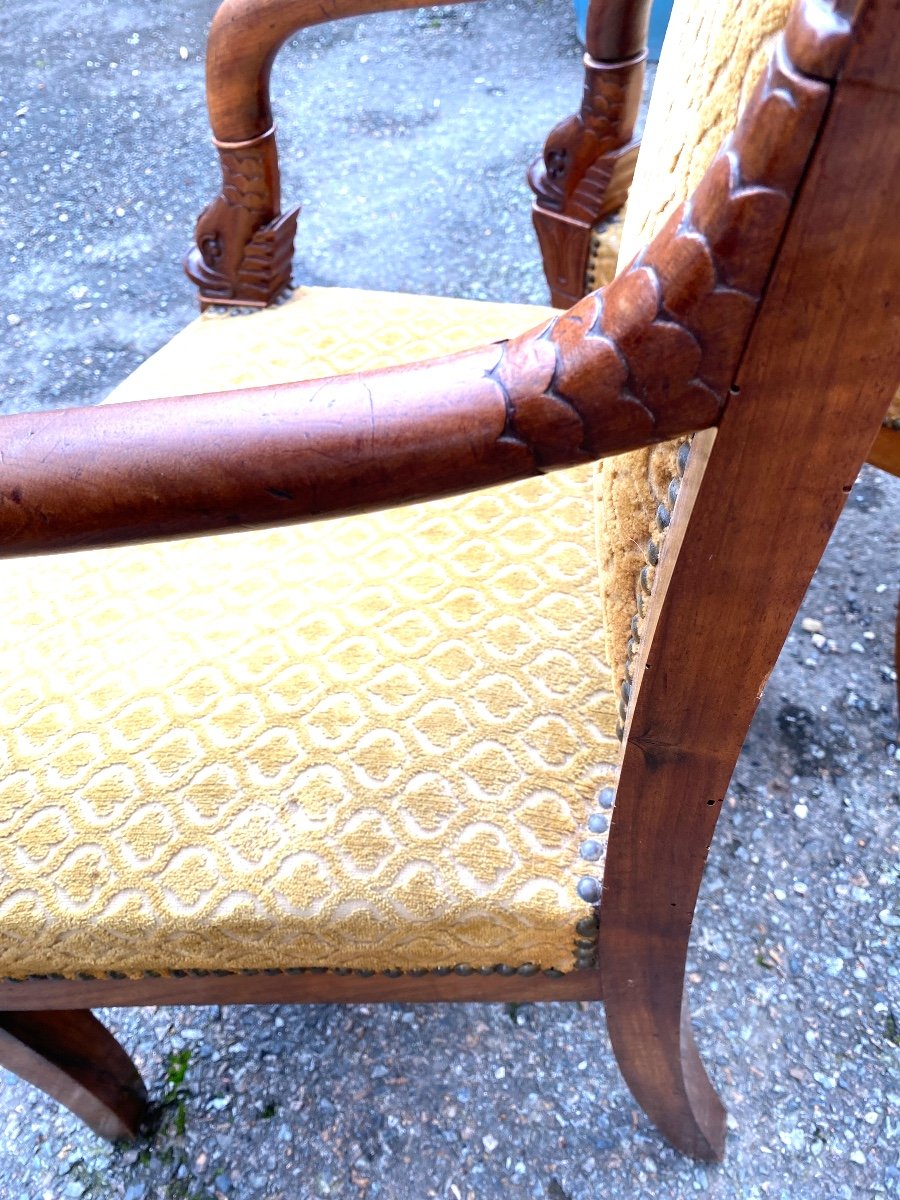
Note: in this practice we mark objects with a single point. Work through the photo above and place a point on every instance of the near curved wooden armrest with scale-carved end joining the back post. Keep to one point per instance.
(649, 358)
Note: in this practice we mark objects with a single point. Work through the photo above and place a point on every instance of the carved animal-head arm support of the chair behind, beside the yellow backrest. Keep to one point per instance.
(589, 159)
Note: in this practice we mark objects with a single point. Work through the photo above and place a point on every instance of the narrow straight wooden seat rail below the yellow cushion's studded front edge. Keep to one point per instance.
(297, 988)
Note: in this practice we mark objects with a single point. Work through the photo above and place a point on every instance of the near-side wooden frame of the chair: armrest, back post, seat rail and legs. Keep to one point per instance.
(766, 316)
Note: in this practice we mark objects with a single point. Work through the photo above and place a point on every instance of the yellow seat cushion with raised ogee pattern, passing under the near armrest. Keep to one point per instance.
(369, 743)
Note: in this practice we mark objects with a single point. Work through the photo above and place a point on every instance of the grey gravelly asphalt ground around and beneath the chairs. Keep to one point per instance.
(409, 137)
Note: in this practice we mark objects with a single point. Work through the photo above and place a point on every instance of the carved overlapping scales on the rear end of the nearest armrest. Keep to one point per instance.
(656, 352)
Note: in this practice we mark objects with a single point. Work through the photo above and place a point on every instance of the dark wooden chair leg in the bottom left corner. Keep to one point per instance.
(73, 1058)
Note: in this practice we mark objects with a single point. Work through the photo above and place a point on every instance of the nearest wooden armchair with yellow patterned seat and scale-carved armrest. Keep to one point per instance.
(376, 758)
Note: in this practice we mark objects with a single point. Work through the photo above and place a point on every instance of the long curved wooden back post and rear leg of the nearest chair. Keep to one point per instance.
(759, 501)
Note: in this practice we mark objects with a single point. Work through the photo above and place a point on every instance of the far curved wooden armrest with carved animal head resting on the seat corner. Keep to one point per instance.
(243, 242)
